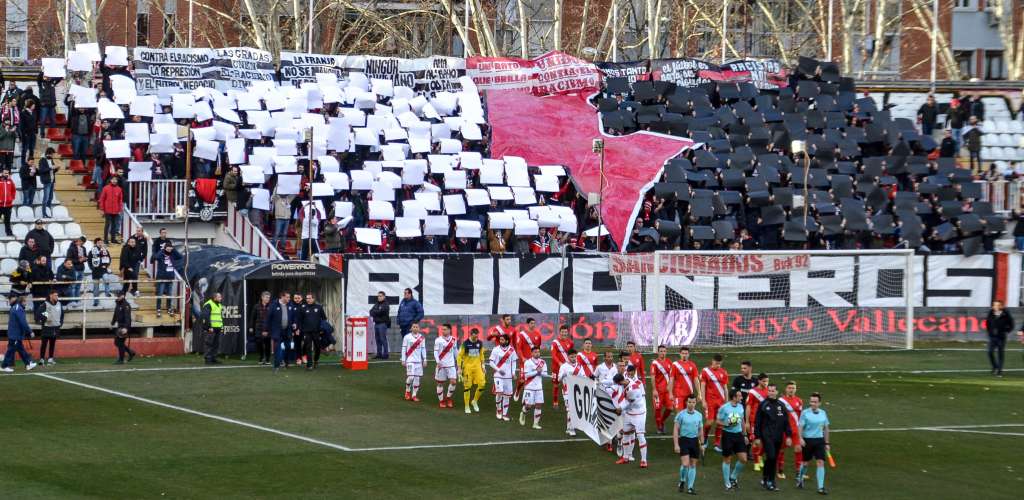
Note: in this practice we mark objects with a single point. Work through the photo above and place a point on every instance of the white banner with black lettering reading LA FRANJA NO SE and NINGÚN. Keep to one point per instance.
(435, 74)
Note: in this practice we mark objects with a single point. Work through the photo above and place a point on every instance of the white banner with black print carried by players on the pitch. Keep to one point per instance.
(590, 409)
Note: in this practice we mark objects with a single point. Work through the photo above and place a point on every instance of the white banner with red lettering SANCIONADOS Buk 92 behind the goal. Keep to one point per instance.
(691, 265)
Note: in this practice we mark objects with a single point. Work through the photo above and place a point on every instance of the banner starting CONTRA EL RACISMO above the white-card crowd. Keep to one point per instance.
(183, 70)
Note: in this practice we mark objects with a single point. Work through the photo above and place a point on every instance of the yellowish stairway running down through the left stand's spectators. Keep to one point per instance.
(76, 192)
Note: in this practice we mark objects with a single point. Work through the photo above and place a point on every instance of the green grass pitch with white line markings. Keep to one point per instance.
(351, 435)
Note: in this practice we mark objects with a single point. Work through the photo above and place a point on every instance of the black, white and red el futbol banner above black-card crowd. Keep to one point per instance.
(688, 72)
